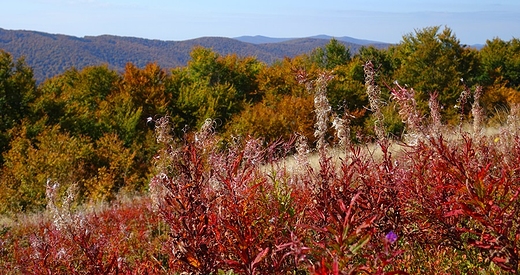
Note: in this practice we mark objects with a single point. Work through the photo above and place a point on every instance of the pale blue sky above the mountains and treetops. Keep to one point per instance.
(472, 21)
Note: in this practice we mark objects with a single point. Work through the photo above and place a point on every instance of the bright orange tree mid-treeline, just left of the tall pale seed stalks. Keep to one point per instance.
(286, 107)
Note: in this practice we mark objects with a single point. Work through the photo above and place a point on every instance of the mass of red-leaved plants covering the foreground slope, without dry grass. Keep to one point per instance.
(220, 210)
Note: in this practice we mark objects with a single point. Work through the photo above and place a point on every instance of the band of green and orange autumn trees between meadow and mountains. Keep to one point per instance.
(94, 127)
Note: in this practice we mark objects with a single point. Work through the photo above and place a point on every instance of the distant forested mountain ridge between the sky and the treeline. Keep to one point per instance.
(52, 54)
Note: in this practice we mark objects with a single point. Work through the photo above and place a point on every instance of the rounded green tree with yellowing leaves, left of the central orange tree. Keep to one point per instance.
(212, 86)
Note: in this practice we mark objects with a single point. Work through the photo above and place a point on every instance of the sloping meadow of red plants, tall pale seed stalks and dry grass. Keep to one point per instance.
(441, 200)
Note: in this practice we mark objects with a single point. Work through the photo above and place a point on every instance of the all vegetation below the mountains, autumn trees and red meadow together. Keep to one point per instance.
(198, 151)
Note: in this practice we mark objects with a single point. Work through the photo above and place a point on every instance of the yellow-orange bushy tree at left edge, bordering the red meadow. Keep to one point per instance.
(31, 163)
